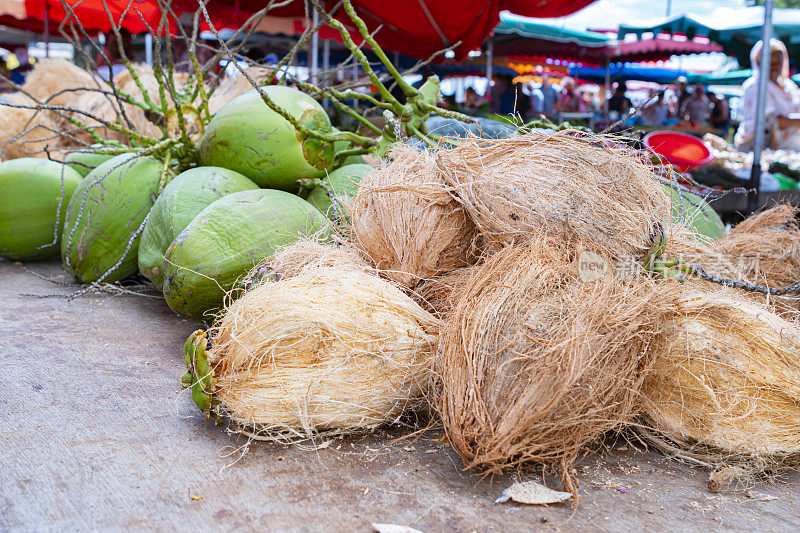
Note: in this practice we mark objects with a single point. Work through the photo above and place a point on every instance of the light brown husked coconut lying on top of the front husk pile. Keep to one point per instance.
(570, 186)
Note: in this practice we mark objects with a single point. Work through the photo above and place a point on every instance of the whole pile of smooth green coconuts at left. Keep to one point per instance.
(193, 233)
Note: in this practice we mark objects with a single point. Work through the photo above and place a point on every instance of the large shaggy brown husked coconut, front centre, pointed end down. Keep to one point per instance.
(535, 364)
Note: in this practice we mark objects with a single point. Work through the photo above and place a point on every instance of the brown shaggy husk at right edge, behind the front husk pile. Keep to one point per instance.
(766, 247)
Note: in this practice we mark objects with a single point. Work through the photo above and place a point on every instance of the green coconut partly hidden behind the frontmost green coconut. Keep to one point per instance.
(185, 196)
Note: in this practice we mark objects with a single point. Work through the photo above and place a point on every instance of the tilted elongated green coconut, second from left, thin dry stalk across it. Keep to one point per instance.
(114, 199)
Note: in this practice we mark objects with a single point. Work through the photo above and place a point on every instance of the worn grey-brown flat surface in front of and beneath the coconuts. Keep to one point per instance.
(97, 435)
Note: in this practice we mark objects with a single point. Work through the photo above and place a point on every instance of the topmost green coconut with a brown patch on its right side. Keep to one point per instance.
(248, 137)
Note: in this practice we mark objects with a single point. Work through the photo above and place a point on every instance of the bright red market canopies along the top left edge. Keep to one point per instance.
(415, 27)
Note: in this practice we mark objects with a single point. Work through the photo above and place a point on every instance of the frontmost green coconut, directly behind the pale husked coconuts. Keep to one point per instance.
(226, 239)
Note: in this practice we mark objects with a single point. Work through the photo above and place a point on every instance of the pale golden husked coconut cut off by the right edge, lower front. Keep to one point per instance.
(725, 387)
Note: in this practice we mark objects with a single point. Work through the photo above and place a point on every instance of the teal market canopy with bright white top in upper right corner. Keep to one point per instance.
(737, 30)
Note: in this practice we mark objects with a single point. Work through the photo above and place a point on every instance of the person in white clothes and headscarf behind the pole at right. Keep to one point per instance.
(782, 105)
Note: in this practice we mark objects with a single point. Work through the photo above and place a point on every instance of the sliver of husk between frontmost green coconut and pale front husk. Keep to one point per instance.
(305, 253)
